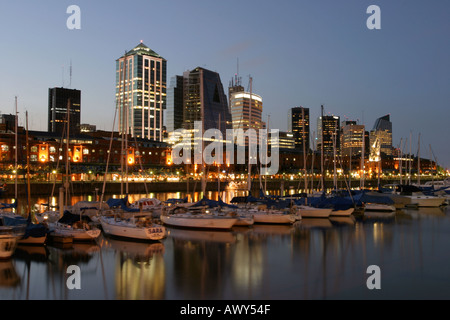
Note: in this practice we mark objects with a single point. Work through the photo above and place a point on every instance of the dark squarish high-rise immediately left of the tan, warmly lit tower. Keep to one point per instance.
(329, 135)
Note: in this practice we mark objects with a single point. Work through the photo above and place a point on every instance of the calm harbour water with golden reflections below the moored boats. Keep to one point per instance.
(313, 259)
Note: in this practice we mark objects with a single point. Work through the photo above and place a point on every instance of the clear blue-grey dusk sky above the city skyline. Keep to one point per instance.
(299, 53)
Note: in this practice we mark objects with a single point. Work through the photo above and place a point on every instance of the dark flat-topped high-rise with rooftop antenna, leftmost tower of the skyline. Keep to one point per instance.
(60, 102)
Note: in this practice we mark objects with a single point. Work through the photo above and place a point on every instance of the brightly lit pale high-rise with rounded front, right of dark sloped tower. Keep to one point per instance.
(246, 113)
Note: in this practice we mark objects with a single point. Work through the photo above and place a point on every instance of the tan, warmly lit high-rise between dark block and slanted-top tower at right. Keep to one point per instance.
(352, 138)
